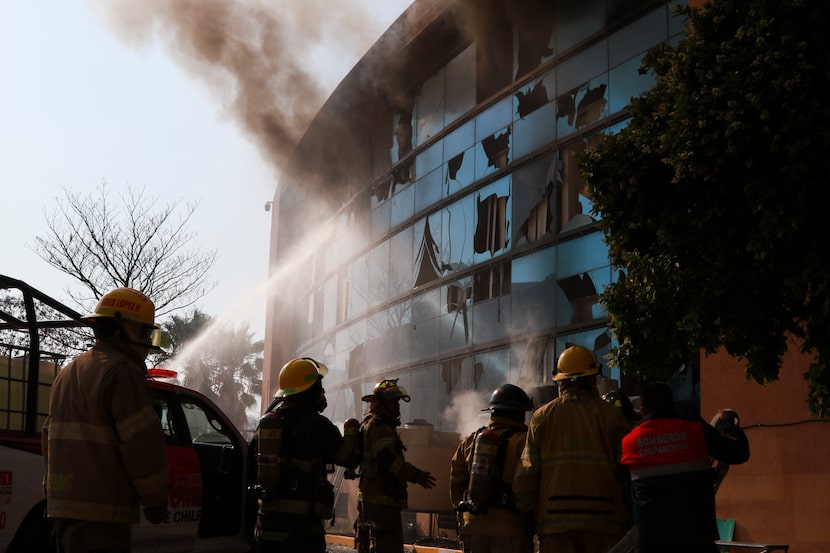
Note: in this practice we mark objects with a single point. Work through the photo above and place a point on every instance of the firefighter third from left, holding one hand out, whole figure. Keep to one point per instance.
(384, 473)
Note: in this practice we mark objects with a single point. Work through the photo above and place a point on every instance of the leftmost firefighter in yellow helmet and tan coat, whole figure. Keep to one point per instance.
(102, 441)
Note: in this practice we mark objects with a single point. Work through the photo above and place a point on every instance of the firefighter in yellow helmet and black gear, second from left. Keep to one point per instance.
(296, 449)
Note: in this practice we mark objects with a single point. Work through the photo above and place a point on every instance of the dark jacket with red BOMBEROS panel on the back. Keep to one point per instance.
(672, 481)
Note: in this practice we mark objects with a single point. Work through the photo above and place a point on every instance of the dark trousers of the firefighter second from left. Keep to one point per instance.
(290, 533)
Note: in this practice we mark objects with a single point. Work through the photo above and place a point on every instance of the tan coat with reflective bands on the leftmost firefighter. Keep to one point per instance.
(102, 441)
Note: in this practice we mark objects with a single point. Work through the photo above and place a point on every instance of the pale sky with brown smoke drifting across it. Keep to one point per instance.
(137, 93)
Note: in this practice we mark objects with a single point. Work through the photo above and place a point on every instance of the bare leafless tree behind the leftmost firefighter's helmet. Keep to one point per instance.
(135, 242)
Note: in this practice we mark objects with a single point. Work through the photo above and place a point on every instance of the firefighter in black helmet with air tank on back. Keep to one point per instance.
(481, 478)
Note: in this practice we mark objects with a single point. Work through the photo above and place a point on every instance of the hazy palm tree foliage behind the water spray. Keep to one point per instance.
(217, 359)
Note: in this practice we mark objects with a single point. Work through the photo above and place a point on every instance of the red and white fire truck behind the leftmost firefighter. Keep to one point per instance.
(208, 459)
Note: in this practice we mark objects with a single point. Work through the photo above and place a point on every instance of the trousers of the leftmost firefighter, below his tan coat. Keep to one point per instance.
(82, 536)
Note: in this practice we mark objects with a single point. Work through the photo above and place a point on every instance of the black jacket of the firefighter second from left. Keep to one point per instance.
(310, 443)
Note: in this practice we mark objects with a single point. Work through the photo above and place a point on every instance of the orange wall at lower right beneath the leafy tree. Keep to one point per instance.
(782, 494)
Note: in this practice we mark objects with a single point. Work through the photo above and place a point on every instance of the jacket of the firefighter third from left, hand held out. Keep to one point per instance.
(384, 472)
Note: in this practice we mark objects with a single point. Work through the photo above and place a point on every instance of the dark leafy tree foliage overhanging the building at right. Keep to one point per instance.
(712, 197)
